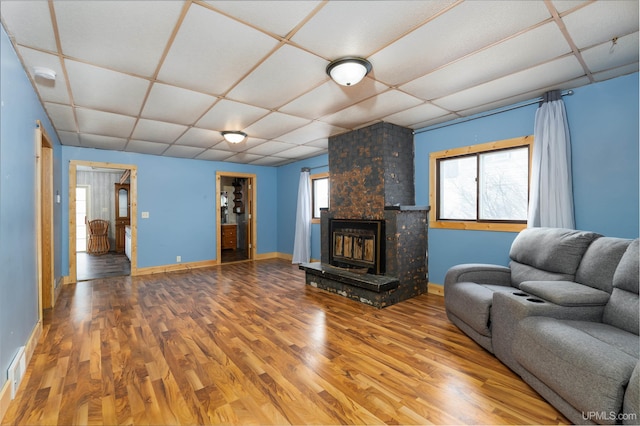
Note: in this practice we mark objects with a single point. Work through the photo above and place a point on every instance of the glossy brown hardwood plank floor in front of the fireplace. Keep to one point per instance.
(250, 343)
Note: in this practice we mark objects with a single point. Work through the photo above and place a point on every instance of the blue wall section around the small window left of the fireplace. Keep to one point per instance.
(288, 179)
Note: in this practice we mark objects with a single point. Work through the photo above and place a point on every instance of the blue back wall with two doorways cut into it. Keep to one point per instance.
(180, 196)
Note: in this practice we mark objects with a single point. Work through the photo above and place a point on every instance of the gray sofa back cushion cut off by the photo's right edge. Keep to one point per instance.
(623, 308)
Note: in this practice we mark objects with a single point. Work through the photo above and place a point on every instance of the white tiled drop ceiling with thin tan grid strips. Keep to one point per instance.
(165, 77)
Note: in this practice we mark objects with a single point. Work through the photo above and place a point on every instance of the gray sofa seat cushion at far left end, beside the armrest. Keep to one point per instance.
(471, 302)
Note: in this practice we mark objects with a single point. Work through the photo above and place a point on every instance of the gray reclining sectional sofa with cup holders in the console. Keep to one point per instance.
(564, 315)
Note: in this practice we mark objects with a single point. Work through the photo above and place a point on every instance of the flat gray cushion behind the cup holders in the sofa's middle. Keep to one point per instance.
(566, 293)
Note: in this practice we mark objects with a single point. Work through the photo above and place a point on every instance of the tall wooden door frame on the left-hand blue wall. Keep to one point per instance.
(45, 248)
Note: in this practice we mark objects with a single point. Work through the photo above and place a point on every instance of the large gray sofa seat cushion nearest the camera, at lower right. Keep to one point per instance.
(588, 364)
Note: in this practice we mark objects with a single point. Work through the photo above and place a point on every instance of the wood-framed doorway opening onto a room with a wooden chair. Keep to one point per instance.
(94, 196)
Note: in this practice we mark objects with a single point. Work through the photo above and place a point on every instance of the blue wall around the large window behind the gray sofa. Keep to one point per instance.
(603, 122)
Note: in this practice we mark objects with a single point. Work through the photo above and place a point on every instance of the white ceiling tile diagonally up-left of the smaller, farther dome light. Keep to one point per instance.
(186, 105)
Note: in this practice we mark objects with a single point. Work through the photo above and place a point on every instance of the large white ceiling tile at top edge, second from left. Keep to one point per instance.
(108, 33)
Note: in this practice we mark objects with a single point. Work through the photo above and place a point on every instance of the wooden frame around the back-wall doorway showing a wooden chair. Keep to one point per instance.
(73, 169)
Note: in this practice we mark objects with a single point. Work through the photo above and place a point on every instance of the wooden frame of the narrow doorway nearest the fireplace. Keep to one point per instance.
(251, 209)
